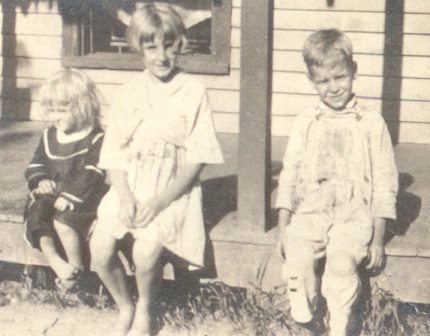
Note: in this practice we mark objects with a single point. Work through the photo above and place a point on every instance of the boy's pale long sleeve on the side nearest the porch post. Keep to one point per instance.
(291, 164)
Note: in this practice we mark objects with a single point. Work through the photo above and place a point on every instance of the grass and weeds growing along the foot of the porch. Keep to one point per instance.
(240, 311)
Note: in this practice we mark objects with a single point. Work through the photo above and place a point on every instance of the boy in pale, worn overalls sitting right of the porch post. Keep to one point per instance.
(337, 188)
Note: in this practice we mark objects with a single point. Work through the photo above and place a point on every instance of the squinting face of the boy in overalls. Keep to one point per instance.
(334, 84)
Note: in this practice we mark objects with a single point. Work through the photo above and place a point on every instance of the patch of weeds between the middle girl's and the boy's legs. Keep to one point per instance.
(249, 311)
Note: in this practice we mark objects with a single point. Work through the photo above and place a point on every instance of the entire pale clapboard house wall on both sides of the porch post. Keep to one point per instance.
(32, 43)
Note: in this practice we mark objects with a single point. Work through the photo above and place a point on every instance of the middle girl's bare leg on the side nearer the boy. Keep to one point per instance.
(146, 255)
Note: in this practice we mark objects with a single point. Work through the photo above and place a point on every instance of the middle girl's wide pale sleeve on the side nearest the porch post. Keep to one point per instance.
(202, 145)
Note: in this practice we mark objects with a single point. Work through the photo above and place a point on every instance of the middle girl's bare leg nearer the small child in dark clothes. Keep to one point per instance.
(106, 262)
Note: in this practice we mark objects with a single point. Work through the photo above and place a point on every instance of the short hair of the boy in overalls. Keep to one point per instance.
(328, 47)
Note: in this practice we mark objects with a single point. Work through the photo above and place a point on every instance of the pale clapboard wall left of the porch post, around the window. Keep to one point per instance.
(31, 51)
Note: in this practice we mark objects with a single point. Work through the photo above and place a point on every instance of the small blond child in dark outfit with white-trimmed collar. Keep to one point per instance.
(65, 183)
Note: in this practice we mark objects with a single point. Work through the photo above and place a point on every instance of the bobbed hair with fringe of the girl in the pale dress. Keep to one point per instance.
(155, 20)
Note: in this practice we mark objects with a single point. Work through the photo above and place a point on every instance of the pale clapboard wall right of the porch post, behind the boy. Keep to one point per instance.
(407, 72)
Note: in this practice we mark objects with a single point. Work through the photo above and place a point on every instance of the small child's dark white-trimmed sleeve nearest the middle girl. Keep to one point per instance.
(87, 182)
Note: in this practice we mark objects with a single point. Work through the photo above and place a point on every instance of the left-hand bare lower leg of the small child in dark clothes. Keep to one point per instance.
(62, 268)
